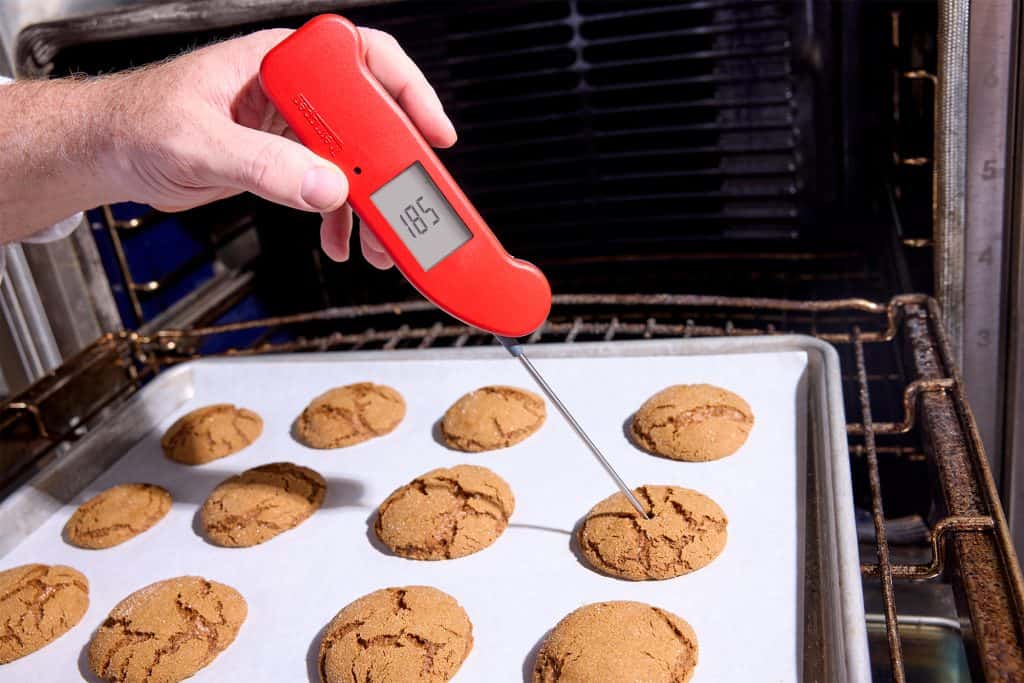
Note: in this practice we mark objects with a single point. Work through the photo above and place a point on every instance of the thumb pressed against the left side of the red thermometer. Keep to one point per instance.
(279, 170)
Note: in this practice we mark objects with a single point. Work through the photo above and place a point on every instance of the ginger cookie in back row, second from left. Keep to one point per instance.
(350, 415)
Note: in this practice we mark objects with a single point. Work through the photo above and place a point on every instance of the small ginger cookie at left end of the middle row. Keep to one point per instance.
(117, 515)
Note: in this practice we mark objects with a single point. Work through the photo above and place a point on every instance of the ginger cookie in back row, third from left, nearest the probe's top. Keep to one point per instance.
(493, 417)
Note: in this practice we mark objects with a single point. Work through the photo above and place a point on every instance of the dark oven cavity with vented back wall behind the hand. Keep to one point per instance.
(712, 147)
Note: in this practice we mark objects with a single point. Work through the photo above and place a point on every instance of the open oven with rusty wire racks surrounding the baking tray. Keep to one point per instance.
(678, 169)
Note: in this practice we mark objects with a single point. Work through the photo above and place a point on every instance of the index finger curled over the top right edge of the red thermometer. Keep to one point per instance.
(404, 80)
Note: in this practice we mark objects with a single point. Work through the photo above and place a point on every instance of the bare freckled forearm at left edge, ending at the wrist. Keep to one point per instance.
(60, 146)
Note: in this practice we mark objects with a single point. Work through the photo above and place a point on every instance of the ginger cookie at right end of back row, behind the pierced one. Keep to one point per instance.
(693, 422)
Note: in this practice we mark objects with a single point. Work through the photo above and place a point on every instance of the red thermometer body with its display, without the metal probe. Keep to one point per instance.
(319, 80)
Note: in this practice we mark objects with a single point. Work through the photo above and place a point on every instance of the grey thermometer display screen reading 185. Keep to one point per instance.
(421, 217)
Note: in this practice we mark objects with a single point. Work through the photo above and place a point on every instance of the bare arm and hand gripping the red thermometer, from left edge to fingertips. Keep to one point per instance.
(185, 134)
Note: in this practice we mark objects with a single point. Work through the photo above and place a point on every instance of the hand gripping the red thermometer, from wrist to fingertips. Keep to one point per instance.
(199, 129)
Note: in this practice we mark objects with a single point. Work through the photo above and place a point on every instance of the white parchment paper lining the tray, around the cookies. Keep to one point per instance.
(745, 608)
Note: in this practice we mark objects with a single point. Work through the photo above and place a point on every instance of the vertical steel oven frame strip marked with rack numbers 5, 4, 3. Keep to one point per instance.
(985, 266)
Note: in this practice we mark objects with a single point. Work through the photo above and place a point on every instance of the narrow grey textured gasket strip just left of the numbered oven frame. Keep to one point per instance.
(950, 173)
